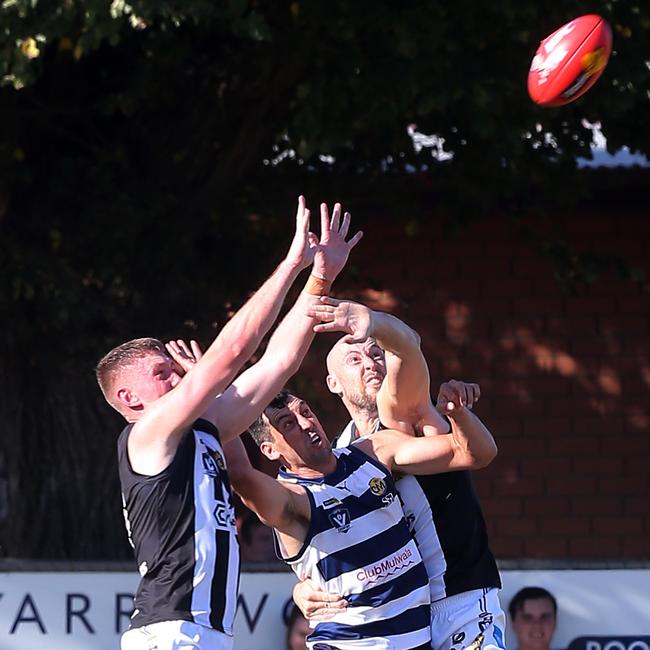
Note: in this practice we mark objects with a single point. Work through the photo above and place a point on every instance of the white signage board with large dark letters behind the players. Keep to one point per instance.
(598, 609)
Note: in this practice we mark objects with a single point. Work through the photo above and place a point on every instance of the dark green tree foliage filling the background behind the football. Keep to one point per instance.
(148, 149)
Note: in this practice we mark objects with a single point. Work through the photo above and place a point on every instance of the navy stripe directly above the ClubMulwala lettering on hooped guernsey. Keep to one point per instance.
(370, 550)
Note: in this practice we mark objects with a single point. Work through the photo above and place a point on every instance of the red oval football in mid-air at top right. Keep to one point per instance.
(569, 61)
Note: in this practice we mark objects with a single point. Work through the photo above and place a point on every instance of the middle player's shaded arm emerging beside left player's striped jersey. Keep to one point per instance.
(284, 506)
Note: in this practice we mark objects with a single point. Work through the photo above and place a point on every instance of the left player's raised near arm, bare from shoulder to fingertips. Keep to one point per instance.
(155, 436)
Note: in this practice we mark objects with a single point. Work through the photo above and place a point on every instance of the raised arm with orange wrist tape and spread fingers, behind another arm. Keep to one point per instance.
(238, 407)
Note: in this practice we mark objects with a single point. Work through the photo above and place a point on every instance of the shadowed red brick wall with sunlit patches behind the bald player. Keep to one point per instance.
(565, 379)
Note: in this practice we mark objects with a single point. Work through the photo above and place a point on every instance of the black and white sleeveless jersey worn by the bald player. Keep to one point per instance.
(446, 520)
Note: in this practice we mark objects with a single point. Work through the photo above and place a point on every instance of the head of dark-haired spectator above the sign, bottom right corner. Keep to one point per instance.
(533, 612)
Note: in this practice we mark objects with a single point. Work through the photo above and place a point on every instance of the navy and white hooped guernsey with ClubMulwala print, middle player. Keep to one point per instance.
(358, 545)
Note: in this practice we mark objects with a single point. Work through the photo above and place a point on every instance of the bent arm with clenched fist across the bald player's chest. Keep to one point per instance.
(470, 444)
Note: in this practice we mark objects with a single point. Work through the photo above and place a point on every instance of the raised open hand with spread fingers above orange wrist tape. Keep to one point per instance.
(333, 251)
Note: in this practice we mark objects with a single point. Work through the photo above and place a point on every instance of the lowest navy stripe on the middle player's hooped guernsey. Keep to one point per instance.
(411, 620)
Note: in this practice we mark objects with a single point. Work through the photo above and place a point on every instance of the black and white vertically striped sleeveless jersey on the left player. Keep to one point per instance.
(181, 524)
